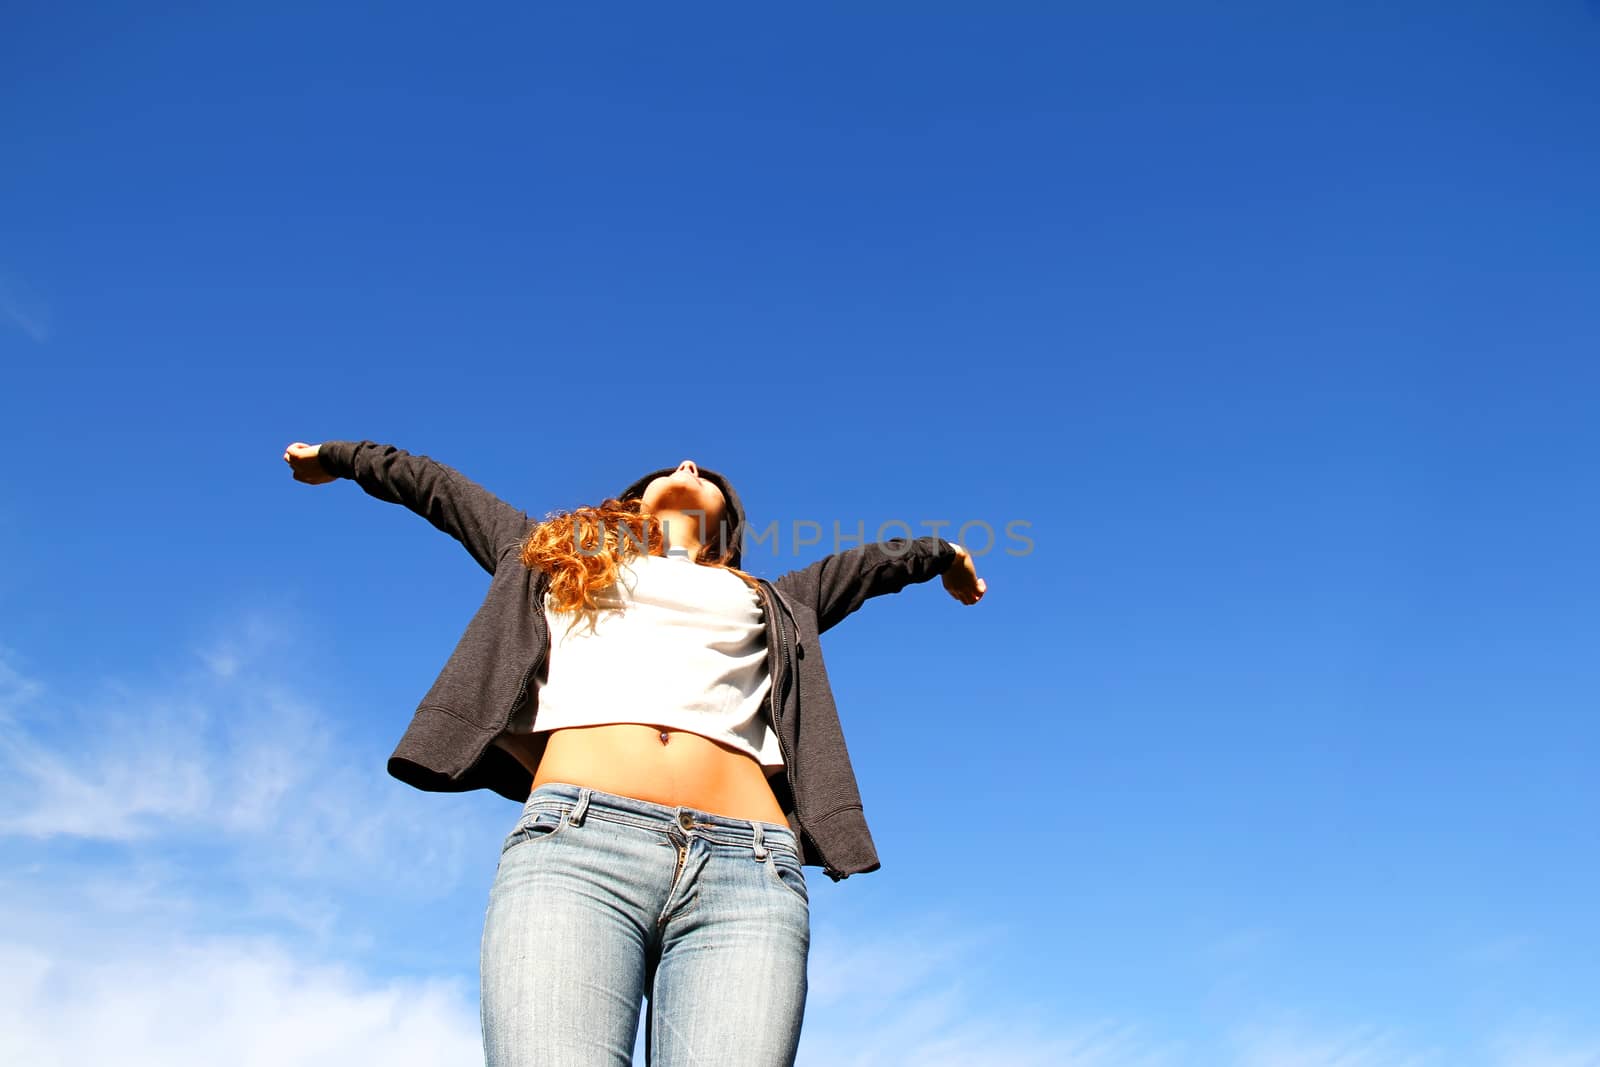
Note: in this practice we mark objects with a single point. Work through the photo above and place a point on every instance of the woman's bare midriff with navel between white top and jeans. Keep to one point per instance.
(663, 765)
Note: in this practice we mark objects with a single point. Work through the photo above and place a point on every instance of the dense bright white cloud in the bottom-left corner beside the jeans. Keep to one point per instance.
(233, 1001)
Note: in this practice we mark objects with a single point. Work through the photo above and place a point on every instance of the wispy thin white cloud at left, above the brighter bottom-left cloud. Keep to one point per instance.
(236, 762)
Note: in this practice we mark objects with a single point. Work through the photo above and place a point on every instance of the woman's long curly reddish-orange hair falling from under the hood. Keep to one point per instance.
(585, 549)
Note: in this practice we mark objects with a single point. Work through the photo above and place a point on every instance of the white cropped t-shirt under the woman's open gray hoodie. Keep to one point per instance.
(673, 644)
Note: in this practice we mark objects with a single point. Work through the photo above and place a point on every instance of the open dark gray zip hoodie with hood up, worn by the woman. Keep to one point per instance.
(450, 741)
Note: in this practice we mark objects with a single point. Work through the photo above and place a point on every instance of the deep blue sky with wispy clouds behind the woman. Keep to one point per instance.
(1276, 324)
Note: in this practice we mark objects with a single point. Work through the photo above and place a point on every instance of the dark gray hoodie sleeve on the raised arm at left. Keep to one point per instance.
(484, 524)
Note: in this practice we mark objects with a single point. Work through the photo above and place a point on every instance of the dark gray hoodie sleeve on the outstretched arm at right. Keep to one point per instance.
(838, 585)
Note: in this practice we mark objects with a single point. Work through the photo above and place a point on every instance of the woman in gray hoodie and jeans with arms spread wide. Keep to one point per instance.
(642, 697)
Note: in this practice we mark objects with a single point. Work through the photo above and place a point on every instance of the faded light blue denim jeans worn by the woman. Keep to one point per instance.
(602, 901)
